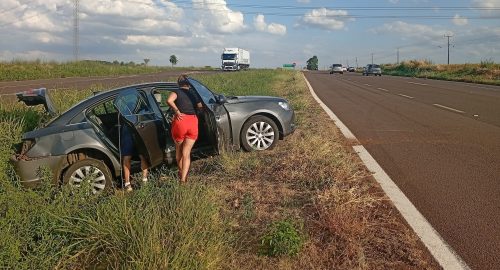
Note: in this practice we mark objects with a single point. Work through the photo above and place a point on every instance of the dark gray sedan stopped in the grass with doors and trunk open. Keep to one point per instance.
(82, 144)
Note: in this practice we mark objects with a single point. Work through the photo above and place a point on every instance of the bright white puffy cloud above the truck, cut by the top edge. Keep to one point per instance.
(216, 17)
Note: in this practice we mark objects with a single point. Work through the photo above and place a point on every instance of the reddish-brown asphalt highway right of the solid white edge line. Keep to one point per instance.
(439, 142)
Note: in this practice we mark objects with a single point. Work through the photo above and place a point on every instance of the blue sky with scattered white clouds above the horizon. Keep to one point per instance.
(275, 32)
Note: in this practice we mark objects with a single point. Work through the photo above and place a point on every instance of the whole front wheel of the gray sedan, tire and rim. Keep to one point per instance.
(259, 133)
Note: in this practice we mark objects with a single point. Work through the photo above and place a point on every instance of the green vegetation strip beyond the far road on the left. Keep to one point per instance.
(19, 70)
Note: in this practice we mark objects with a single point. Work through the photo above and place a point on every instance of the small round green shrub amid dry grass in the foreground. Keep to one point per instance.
(282, 238)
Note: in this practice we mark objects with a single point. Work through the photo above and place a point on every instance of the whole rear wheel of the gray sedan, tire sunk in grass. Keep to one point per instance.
(94, 171)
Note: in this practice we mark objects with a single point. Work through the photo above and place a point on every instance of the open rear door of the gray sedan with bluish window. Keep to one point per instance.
(136, 113)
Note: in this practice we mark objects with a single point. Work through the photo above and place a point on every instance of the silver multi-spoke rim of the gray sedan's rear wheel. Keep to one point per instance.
(91, 175)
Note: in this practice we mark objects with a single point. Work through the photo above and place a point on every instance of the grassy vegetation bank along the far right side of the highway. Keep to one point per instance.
(486, 72)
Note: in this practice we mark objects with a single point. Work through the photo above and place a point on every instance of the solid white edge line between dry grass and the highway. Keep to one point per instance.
(442, 252)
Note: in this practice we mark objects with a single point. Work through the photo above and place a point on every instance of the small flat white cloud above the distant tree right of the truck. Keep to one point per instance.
(326, 18)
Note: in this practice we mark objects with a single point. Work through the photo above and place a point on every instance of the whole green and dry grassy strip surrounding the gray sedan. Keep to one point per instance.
(307, 204)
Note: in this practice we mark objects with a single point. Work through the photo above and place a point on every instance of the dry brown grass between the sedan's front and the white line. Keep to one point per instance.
(313, 178)
